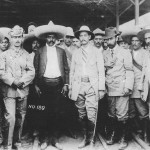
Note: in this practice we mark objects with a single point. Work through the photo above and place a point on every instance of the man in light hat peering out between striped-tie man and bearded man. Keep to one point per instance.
(98, 38)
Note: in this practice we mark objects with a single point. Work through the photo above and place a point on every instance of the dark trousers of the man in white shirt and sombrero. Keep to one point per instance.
(51, 99)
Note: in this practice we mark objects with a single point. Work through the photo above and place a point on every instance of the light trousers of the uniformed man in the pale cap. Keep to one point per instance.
(15, 114)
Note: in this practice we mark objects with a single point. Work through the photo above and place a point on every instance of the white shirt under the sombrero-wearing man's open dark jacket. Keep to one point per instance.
(52, 66)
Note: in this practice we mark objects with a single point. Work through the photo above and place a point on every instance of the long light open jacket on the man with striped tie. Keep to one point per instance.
(95, 69)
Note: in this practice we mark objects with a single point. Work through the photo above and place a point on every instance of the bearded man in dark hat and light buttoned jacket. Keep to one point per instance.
(119, 81)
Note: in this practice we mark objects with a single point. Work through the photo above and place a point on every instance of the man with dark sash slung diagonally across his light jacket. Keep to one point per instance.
(137, 106)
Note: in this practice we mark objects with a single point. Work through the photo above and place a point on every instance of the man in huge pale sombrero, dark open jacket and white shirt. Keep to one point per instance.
(52, 77)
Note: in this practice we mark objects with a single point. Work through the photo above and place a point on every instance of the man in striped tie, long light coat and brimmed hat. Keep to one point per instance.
(87, 83)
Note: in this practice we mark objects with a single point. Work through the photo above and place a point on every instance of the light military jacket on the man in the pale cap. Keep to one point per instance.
(15, 66)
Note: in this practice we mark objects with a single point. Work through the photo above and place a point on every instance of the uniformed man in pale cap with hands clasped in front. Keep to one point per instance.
(16, 73)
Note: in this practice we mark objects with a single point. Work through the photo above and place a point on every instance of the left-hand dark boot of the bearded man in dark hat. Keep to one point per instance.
(111, 131)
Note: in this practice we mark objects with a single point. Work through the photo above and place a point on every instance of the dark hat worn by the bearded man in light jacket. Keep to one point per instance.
(111, 32)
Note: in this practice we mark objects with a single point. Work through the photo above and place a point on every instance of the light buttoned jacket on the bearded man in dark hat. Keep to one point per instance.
(119, 71)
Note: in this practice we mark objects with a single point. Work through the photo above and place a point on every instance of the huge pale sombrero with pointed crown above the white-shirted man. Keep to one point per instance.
(42, 31)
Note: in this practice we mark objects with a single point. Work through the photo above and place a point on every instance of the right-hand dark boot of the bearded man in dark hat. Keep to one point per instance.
(124, 132)
